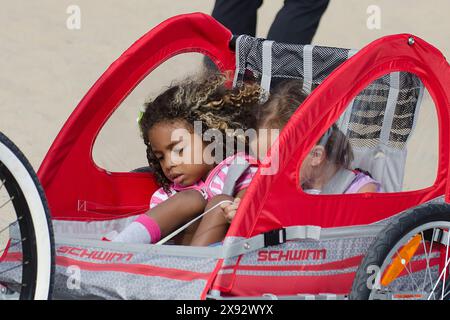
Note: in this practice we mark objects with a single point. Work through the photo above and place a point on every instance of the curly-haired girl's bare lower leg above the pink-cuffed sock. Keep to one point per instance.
(177, 210)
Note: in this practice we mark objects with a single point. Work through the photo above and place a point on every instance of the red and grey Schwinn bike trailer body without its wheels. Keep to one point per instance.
(79, 191)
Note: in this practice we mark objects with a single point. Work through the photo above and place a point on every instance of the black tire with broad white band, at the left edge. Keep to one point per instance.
(30, 215)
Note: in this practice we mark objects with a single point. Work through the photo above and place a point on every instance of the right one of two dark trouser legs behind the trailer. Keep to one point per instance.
(297, 21)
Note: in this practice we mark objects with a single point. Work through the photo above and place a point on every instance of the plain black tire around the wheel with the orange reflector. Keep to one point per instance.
(389, 237)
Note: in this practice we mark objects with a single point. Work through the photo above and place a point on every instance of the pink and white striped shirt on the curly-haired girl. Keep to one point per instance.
(214, 183)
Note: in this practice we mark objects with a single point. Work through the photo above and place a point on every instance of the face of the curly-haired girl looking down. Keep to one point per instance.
(179, 152)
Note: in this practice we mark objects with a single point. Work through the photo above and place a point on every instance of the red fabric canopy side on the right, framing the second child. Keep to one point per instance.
(275, 201)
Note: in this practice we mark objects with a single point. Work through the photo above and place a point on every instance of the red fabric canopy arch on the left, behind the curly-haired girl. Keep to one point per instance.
(75, 187)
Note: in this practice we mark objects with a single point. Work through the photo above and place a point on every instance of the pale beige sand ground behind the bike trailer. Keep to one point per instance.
(45, 68)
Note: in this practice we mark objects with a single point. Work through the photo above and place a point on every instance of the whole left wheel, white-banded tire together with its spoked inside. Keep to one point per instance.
(22, 209)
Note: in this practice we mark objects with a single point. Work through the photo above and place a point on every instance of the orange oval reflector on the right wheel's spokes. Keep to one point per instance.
(403, 257)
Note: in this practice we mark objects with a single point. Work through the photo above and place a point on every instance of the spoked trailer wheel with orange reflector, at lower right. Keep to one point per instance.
(409, 259)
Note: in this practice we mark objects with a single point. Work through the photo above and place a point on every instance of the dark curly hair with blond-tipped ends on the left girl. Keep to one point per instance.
(207, 99)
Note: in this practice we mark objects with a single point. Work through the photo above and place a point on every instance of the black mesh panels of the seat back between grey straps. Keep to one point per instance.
(369, 106)
